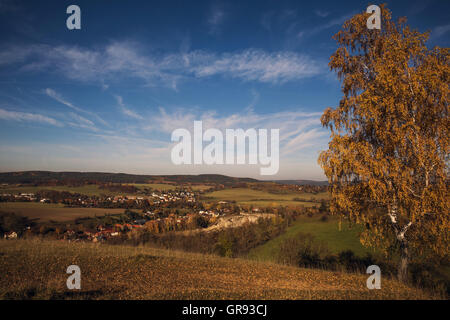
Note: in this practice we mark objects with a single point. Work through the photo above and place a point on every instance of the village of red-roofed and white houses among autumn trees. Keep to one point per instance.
(156, 212)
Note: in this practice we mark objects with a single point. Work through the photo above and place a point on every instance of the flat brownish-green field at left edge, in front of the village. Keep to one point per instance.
(56, 212)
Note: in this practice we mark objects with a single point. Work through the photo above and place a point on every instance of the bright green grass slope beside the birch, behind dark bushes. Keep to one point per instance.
(327, 232)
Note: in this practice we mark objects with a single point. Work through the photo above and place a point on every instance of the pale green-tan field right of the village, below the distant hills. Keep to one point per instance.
(263, 198)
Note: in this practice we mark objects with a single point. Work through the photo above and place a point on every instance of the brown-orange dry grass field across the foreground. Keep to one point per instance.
(33, 269)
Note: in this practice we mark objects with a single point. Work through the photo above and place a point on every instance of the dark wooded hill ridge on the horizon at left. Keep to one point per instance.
(31, 177)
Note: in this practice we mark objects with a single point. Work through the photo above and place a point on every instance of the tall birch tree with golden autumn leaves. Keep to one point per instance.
(387, 162)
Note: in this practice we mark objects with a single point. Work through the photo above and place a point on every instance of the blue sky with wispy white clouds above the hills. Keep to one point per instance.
(107, 97)
